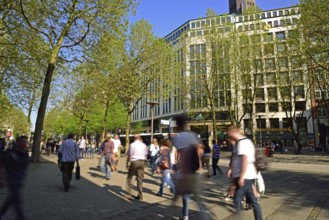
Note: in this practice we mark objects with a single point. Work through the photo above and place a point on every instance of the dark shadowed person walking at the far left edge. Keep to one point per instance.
(16, 162)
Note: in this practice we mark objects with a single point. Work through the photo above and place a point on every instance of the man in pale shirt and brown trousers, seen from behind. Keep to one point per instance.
(135, 164)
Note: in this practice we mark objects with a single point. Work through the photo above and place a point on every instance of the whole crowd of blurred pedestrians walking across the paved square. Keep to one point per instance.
(175, 159)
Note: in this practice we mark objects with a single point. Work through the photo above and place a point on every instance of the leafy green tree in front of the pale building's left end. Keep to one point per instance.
(145, 71)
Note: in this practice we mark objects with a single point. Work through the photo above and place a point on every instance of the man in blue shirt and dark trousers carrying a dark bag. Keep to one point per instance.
(68, 153)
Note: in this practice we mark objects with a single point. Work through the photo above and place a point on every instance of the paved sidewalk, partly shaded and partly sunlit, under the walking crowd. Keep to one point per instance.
(293, 191)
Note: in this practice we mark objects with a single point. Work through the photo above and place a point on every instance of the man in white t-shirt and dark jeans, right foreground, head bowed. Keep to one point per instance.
(244, 171)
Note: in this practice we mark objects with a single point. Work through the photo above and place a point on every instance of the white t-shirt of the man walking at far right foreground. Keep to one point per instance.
(246, 147)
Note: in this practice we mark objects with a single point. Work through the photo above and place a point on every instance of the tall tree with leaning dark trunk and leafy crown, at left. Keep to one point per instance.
(67, 27)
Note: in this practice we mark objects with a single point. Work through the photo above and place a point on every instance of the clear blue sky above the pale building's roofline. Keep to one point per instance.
(166, 15)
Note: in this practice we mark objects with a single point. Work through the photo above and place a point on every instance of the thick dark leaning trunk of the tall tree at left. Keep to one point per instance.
(42, 112)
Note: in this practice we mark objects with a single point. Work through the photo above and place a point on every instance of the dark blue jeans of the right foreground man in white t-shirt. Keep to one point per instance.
(246, 190)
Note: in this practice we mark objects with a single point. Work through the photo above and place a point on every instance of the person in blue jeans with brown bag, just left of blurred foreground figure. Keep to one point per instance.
(165, 167)
